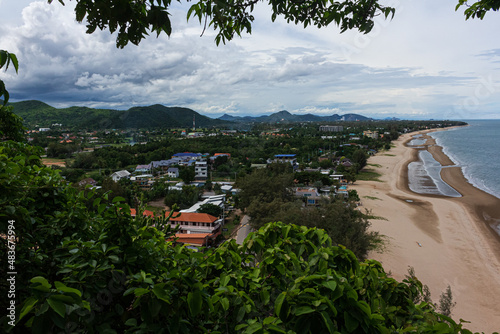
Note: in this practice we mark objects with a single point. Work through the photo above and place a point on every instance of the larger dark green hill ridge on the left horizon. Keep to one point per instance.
(36, 113)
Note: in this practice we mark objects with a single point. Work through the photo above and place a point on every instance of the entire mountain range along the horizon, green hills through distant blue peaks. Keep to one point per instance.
(37, 113)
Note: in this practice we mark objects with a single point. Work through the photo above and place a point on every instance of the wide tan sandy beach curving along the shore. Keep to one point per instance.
(448, 241)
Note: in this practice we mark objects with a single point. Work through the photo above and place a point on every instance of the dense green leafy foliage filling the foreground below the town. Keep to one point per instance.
(99, 270)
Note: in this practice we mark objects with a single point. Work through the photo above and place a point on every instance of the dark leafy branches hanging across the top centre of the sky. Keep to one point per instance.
(134, 20)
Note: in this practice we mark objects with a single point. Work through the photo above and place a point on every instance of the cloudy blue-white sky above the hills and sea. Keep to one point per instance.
(427, 62)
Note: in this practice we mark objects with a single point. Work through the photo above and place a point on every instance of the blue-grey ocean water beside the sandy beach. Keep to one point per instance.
(476, 149)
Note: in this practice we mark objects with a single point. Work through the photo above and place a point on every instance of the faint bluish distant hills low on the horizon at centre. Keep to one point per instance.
(286, 117)
